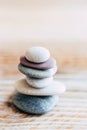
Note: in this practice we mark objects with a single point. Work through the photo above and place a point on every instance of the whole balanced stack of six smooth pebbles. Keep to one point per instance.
(37, 93)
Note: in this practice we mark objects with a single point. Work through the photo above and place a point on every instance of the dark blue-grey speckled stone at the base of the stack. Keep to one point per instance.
(34, 104)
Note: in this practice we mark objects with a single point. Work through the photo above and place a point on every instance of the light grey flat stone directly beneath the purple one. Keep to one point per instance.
(37, 73)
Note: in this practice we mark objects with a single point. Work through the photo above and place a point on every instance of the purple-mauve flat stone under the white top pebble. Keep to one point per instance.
(50, 63)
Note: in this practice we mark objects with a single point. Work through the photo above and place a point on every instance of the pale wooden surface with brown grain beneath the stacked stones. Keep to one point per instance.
(69, 114)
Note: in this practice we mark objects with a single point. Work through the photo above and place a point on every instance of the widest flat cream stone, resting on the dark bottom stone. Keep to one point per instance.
(54, 88)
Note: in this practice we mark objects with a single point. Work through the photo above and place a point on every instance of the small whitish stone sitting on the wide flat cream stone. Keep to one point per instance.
(39, 83)
